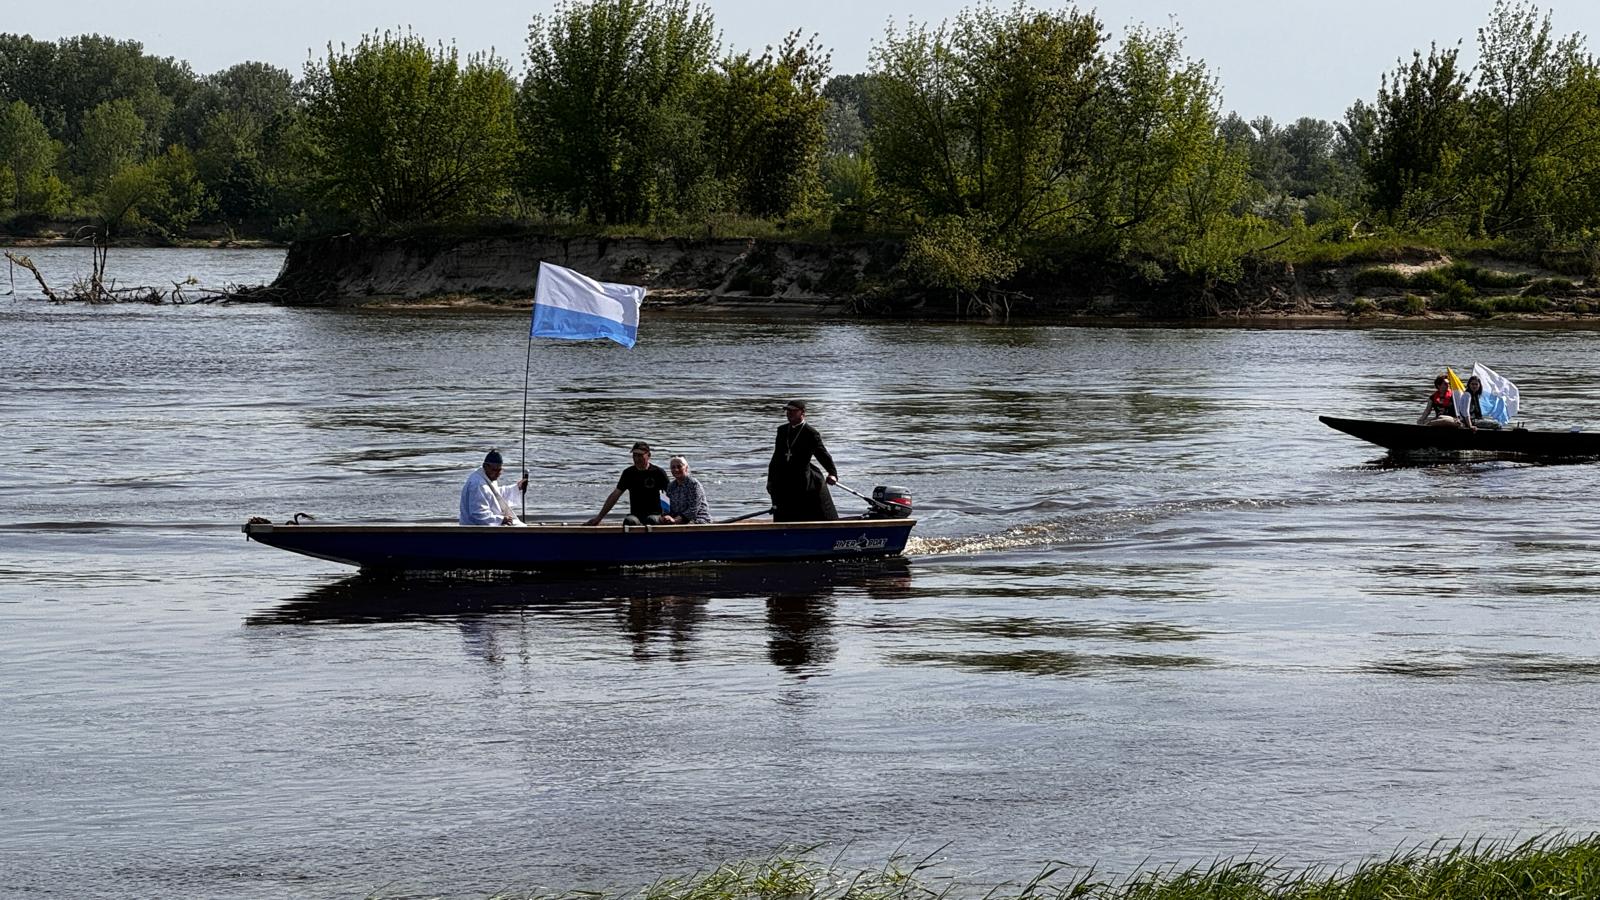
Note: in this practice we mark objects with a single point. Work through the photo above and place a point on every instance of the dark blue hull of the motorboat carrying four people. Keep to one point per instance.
(492, 548)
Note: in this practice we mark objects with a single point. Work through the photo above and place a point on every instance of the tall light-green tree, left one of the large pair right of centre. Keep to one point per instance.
(993, 115)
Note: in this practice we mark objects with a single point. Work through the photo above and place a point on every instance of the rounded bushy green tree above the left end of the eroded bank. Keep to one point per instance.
(404, 134)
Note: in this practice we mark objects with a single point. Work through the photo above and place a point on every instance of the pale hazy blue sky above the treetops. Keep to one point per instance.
(1281, 58)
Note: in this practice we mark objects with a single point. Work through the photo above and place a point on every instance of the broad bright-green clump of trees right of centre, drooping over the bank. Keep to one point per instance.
(1023, 119)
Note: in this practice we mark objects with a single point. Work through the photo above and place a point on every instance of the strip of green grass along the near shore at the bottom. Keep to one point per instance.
(1548, 867)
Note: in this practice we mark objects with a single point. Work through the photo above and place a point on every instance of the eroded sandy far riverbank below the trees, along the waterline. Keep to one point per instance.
(839, 279)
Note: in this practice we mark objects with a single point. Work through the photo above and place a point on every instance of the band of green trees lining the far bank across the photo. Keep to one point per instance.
(999, 139)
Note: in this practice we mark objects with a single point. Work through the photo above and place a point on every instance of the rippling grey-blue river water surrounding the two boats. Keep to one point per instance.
(1153, 613)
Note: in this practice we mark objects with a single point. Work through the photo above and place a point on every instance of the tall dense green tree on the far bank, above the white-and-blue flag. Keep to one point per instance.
(612, 87)
